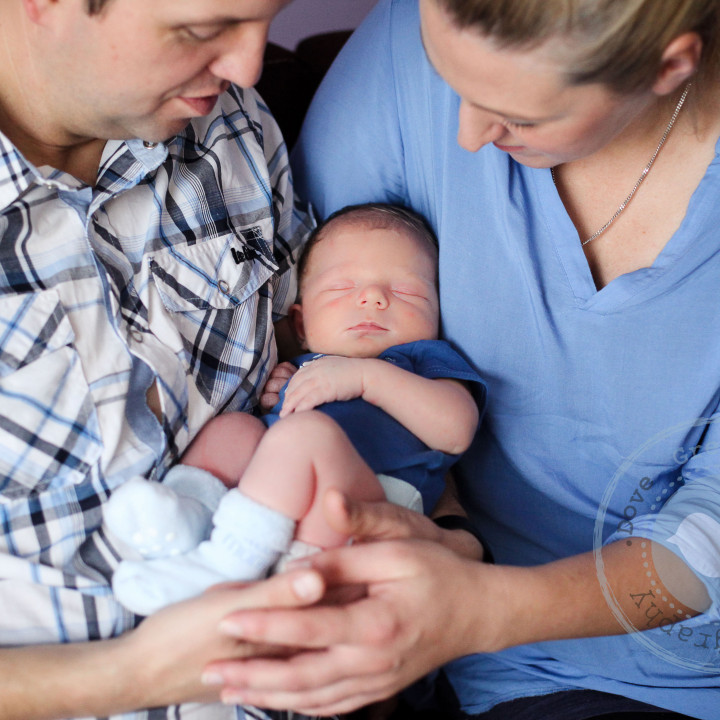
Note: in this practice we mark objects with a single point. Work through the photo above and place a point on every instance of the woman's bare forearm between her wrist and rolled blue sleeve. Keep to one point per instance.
(586, 596)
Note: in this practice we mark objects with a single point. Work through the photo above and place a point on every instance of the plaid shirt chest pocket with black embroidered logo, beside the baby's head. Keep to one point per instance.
(216, 295)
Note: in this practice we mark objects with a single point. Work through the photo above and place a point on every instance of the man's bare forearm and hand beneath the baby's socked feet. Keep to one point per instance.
(159, 663)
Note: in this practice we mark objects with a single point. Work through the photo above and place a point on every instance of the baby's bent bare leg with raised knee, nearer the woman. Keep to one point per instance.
(300, 458)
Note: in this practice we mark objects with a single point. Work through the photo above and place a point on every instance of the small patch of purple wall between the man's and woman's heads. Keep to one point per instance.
(309, 17)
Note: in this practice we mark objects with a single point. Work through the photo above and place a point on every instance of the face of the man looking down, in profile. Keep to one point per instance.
(144, 69)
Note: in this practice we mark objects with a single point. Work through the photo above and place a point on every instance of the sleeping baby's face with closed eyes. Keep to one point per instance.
(366, 290)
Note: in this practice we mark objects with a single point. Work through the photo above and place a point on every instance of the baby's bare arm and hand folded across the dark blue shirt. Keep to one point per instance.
(441, 412)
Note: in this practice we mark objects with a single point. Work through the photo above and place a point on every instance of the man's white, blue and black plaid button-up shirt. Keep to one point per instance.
(169, 272)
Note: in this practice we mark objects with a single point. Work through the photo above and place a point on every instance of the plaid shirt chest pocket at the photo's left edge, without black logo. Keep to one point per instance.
(49, 431)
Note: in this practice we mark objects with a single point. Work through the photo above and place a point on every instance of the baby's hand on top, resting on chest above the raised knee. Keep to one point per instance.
(324, 380)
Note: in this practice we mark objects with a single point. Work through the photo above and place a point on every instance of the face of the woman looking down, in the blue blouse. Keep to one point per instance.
(518, 99)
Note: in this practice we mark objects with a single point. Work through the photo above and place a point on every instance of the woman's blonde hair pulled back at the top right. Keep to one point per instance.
(618, 43)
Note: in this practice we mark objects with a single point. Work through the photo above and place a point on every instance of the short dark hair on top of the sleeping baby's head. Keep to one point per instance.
(373, 216)
